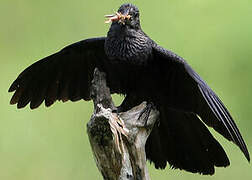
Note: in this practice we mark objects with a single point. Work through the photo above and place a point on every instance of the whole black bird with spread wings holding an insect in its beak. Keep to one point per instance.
(143, 71)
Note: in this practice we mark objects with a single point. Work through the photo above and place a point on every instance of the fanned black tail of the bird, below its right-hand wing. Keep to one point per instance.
(185, 143)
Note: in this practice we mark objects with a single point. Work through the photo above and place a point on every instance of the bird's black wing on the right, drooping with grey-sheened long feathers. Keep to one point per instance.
(185, 90)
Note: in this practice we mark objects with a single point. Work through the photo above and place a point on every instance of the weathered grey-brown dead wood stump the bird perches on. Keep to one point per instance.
(118, 140)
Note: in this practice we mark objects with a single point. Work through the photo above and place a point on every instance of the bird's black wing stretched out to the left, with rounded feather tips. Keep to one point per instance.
(65, 75)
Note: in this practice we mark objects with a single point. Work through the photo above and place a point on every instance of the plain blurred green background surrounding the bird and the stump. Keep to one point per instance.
(215, 37)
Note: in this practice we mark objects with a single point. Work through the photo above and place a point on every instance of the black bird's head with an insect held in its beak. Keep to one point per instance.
(127, 15)
